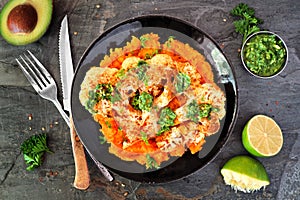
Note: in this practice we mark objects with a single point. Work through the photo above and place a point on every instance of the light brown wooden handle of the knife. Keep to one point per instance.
(82, 176)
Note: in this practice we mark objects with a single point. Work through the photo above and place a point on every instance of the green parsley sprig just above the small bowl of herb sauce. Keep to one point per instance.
(248, 23)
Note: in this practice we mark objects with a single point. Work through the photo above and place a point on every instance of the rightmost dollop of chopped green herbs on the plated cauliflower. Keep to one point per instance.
(198, 111)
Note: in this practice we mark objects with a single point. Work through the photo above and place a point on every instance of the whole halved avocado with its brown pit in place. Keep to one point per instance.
(25, 21)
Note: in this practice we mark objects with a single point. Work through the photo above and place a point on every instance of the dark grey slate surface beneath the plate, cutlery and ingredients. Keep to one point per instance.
(277, 97)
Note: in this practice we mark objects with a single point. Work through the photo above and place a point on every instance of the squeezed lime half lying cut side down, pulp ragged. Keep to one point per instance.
(245, 174)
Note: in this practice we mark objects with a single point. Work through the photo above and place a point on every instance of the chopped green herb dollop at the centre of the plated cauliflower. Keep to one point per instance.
(142, 101)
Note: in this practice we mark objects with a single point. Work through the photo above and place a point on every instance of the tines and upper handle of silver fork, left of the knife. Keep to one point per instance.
(41, 80)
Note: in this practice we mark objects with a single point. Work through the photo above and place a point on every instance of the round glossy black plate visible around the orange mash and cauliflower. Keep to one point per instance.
(164, 26)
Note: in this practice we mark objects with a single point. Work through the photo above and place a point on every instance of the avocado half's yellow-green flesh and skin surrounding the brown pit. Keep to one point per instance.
(44, 9)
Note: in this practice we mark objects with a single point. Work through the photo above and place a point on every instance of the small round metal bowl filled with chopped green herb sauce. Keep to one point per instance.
(264, 54)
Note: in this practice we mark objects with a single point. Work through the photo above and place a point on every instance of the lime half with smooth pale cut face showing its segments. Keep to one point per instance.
(262, 136)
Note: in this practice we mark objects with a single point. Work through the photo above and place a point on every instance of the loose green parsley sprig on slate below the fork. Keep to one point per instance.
(33, 149)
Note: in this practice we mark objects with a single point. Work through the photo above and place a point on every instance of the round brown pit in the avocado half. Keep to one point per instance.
(22, 19)
